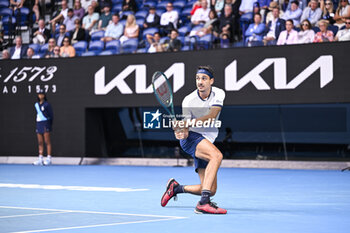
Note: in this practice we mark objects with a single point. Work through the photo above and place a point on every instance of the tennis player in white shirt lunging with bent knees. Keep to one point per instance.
(203, 104)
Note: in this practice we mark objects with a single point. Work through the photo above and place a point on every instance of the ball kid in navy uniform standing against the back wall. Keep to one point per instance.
(44, 118)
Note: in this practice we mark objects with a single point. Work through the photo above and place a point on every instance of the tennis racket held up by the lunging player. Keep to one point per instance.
(163, 92)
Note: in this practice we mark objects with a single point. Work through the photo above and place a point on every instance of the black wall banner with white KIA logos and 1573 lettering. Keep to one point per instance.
(298, 74)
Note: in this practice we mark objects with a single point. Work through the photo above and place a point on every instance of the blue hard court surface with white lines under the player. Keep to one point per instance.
(127, 199)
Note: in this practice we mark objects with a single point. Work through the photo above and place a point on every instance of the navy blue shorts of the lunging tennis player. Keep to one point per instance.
(189, 145)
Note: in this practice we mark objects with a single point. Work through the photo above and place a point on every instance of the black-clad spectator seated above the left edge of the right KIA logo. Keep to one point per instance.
(227, 23)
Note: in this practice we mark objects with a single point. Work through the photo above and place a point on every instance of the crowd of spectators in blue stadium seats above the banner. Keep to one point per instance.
(105, 27)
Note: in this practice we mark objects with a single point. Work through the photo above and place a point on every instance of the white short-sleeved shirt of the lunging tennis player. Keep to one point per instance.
(193, 106)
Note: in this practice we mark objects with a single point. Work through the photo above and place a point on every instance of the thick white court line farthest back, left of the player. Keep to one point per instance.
(73, 188)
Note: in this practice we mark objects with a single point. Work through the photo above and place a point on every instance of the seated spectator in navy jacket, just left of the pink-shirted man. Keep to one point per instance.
(274, 28)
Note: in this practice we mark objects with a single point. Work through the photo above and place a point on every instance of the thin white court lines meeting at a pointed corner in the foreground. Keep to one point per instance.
(163, 218)
